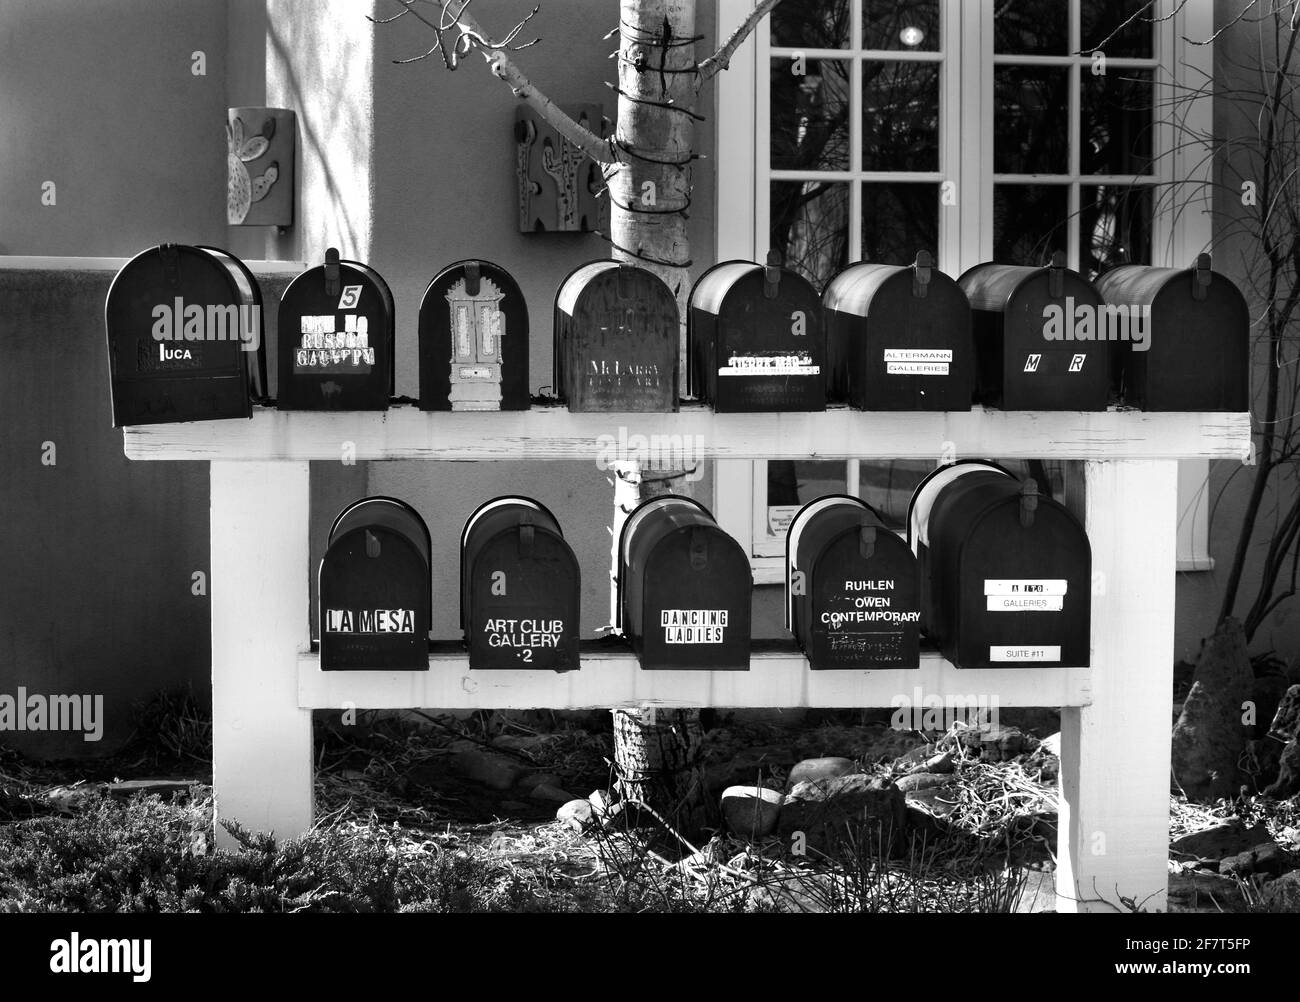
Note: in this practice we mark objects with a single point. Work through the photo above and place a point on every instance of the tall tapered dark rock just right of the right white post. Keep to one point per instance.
(1210, 735)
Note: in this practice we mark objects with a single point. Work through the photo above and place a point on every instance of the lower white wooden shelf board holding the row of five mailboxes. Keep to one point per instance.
(616, 679)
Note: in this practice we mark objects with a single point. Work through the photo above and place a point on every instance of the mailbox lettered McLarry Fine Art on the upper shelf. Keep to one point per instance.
(617, 329)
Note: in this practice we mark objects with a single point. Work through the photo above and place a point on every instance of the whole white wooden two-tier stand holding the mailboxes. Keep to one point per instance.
(1116, 727)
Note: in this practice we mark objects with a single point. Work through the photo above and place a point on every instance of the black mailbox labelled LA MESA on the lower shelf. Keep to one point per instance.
(375, 595)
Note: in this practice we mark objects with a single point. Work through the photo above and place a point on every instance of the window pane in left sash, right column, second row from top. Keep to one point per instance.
(900, 116)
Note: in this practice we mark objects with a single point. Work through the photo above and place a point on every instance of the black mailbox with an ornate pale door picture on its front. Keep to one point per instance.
(474, 341)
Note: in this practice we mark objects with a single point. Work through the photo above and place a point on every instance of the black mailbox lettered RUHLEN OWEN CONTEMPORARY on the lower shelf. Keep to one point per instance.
(852, 592)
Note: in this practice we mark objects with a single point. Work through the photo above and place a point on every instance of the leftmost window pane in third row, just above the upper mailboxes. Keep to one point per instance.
(811, 228)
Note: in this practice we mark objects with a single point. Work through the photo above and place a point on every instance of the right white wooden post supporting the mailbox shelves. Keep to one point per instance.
(1116, 752)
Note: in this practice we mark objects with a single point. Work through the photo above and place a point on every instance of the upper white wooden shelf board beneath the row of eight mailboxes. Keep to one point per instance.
(695, 433)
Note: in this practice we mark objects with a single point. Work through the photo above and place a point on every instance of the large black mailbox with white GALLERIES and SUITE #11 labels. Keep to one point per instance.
(1012, 575)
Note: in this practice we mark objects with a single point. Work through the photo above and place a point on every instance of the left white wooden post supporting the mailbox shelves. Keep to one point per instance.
(262, 741)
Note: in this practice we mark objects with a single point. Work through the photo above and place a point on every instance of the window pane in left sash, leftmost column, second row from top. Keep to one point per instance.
(811, 115)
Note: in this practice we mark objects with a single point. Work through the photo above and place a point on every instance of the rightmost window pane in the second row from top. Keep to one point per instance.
(1116, 127)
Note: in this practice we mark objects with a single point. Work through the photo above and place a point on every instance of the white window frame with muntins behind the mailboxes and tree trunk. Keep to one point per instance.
(967, 157)
